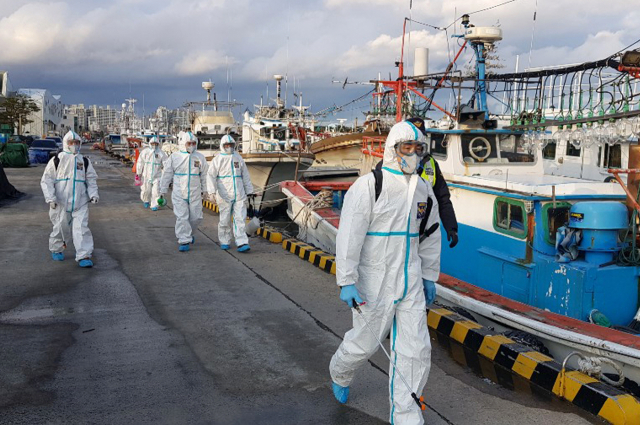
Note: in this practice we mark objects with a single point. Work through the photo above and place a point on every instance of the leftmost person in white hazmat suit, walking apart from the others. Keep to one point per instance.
(69, 184)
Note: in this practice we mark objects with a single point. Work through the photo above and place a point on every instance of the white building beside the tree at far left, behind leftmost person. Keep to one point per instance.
(48, 119)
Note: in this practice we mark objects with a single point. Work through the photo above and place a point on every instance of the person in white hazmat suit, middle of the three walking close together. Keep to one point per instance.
(187, 169)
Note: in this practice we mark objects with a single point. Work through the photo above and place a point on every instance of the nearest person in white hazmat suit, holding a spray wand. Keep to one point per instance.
(383, 265)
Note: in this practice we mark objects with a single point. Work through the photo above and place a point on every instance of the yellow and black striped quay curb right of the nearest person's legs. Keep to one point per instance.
(609, 403)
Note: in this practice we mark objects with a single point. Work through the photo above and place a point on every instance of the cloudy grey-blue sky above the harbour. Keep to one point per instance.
(101, 51)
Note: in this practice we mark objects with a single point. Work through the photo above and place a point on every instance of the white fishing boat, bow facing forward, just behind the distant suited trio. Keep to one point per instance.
(275, 146)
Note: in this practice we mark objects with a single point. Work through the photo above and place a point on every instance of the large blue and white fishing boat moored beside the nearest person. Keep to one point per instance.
(551, 256)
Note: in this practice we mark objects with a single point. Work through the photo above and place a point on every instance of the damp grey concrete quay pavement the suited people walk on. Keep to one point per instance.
(151, 335)
